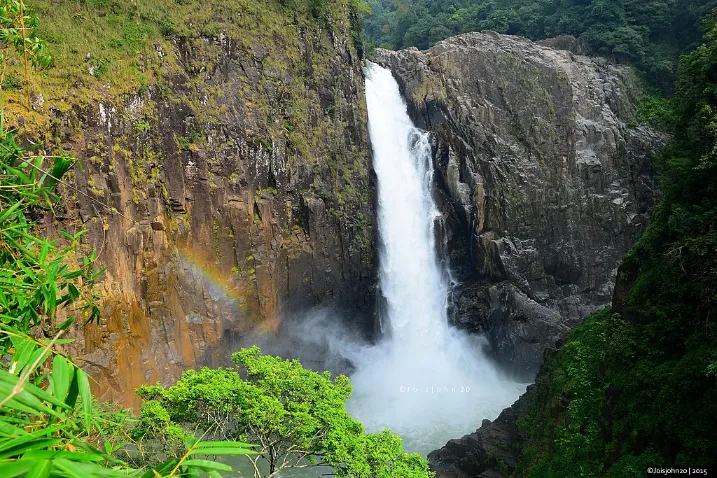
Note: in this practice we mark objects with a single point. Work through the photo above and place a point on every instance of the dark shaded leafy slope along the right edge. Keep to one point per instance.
(636, 386)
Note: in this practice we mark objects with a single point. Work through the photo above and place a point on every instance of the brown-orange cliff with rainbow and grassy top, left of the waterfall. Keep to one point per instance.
(241, 181)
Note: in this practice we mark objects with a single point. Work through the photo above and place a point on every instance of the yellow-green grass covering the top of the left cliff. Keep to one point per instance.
(111, 47)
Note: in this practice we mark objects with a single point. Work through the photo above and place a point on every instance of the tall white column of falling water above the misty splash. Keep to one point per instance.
(410, 277)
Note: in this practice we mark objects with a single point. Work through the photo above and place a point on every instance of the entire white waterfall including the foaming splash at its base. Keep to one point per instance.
(427, 381)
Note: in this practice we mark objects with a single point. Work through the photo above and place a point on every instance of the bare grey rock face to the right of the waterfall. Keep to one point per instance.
(544, 183)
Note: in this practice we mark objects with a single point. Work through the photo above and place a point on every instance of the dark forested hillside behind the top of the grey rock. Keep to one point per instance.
(650, 34)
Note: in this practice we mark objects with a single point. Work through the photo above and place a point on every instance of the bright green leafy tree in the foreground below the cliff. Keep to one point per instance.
(296, 416)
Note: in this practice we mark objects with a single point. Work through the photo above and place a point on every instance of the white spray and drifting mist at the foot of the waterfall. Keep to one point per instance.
(426, 395)
